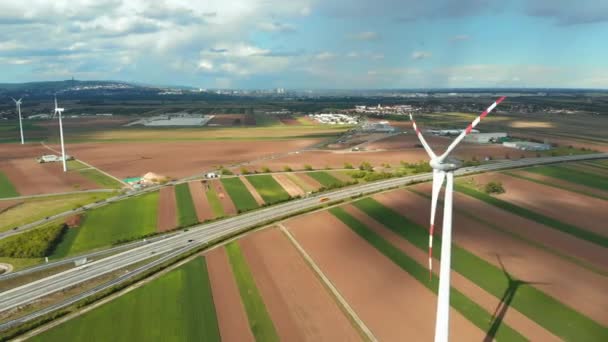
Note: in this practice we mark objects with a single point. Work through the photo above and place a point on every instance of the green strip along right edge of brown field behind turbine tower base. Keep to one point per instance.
(468, 308)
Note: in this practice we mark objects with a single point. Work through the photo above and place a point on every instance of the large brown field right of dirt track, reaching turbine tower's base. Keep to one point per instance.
(390, 302)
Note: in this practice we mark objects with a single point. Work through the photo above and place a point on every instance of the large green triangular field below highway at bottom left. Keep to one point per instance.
(178, 306)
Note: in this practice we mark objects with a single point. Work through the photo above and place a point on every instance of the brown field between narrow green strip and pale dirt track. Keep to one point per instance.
(297, 302)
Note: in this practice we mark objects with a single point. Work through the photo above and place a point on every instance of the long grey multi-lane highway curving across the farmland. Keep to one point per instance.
(204, 233)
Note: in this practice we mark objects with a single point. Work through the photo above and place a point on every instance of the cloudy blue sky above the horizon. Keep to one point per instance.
(308, 43)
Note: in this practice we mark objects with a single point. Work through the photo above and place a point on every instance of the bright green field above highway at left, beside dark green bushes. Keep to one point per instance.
(119, 221)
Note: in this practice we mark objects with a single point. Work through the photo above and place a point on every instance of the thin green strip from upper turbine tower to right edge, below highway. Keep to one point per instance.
(534, 216)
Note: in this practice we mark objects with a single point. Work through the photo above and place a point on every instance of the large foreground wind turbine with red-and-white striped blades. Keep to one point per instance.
(443, 167)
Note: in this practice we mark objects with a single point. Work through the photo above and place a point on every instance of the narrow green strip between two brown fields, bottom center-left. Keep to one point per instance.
(259, 320)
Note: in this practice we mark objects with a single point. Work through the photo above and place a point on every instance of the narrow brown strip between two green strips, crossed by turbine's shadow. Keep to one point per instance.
(513, 318)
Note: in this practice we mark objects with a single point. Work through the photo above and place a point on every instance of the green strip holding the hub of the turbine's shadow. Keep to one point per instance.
(548, 312)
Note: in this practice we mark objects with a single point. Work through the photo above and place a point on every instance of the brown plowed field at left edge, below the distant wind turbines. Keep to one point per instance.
(30, 177)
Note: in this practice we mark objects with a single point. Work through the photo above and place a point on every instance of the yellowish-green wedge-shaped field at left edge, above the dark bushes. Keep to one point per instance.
(33, 209)
